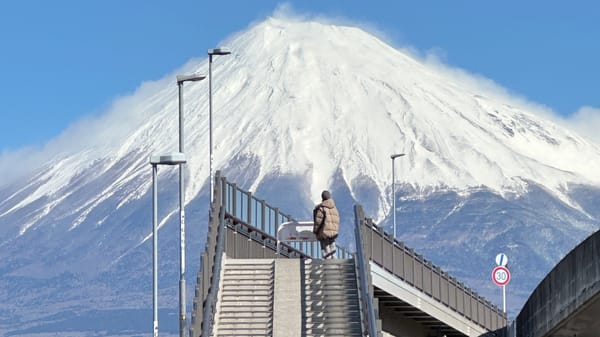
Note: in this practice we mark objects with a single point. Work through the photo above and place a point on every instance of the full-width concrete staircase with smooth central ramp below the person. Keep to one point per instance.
(288, 298)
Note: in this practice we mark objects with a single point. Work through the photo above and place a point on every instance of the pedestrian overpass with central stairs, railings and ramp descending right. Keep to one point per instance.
(249, 285)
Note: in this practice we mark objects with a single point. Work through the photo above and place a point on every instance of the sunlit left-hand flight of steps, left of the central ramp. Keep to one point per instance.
(245, 305)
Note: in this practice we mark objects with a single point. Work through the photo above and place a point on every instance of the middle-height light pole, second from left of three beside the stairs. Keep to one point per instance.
(182, 319)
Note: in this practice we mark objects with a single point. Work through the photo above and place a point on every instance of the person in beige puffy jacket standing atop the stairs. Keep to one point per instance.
(326, 224)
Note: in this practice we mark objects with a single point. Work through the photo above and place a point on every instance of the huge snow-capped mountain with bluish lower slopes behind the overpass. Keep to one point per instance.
(298, 107)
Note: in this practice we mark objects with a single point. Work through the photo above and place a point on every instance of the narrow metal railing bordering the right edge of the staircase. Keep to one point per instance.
(366, 303)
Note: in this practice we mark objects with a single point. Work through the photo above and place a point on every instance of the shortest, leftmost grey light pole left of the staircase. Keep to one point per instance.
(168, 159)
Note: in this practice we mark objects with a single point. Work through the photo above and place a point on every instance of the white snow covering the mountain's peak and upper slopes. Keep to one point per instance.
(310, 98)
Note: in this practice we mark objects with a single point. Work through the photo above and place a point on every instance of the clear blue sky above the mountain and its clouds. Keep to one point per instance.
(65, 59)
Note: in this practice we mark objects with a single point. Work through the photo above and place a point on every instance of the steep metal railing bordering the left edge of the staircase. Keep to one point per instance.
(213, 292)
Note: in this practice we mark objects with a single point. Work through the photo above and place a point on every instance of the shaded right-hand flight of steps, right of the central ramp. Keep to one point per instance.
(331, 300)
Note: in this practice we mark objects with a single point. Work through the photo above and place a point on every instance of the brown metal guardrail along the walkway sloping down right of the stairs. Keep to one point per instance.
(403, 262)
